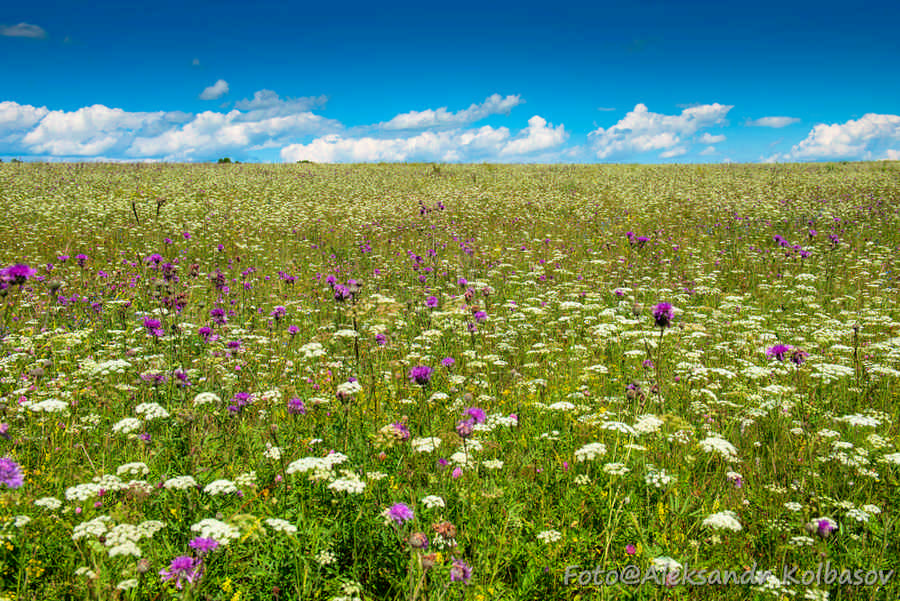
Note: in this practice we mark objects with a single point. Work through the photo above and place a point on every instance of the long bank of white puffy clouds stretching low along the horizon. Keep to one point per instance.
(295, 129)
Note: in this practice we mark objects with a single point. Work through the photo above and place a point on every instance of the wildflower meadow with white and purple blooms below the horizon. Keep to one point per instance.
(447, 382)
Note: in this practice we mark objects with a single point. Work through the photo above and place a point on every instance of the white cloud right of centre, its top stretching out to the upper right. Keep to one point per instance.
(643, 131)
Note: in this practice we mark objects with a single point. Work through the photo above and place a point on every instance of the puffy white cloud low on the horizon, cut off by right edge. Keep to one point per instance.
(872, 136)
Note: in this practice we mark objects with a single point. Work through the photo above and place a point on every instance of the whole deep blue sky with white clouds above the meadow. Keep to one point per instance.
(649, 81)
